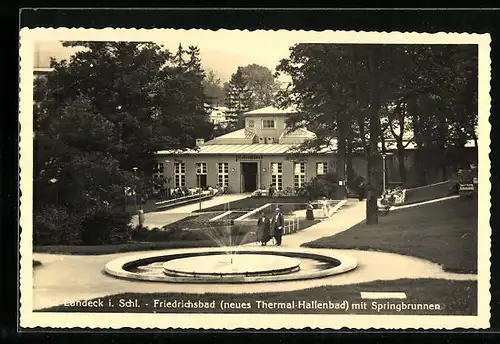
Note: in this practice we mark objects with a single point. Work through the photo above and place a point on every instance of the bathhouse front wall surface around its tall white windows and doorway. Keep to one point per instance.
(264, 169)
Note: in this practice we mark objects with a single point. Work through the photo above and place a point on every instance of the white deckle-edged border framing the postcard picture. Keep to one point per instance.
(29, 319)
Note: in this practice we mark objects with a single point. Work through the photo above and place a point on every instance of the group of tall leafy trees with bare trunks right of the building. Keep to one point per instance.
(345, 92)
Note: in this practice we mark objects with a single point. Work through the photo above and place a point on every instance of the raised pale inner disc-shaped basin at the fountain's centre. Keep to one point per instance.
(224, 265)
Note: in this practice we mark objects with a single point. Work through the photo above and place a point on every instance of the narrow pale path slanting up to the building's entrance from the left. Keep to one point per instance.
(165, 217)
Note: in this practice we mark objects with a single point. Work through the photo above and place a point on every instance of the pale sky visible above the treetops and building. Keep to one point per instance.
(221, 51)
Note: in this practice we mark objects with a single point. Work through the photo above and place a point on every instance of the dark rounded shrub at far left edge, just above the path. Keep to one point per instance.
(56, 226)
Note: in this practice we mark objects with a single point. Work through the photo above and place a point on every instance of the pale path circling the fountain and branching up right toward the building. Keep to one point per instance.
(68, 278)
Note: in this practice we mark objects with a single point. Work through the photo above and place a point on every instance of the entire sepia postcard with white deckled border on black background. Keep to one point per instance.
(254, 179)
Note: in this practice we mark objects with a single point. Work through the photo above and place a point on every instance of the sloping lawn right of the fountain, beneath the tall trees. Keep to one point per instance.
(444, 232)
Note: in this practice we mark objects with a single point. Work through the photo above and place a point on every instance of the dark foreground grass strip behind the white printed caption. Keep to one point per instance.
(453, 298)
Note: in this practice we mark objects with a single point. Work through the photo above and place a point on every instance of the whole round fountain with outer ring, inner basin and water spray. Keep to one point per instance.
(230, 262)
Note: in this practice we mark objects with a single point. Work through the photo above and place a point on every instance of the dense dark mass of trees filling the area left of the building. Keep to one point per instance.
(100, 115)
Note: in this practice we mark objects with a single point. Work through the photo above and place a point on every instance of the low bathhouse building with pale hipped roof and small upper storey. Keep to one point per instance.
(250, 158)
